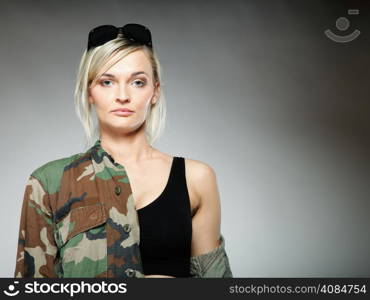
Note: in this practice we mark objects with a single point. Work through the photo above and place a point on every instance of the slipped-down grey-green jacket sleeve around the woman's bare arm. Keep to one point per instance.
(213, 264)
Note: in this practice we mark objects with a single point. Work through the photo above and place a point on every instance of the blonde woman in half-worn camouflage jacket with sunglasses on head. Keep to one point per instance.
(122, 208)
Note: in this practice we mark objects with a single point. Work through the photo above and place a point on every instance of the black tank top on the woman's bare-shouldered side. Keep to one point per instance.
(166, 227)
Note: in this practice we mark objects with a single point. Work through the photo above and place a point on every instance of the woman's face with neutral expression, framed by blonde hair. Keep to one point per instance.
(127, 84)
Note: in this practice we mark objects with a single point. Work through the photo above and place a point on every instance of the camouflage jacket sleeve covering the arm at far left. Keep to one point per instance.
(37, 251)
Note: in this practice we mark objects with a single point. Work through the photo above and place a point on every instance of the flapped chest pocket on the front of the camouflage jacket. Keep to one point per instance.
(81, 239)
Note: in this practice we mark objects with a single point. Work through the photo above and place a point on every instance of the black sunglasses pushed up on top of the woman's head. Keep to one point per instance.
(136, 33)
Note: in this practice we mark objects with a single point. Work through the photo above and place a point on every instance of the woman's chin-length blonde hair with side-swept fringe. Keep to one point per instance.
(90, 69)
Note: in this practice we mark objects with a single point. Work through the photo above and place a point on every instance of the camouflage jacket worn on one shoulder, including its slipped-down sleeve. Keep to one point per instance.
(78, 219)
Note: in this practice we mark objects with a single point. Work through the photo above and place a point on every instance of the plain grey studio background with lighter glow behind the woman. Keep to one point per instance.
(254, 88)
